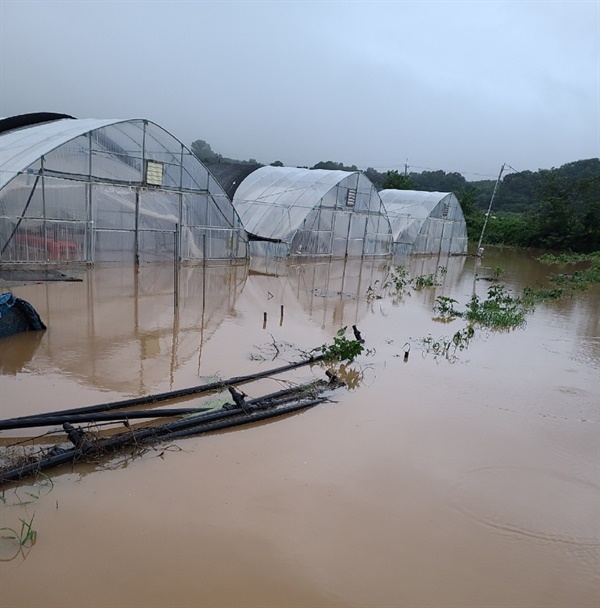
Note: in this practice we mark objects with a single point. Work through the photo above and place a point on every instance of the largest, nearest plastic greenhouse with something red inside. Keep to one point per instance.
(109, 190)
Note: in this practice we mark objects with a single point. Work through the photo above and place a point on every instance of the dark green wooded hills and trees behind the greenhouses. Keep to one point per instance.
(556, 209)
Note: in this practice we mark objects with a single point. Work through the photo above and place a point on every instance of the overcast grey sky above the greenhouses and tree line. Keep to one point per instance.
(455, 85)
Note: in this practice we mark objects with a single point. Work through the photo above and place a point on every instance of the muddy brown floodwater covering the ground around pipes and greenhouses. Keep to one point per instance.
(465, 482)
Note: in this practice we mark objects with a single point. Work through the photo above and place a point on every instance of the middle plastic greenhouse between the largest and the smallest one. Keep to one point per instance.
(290, 212)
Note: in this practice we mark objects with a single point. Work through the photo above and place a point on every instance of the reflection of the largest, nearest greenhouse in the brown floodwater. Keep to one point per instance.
(118, 329)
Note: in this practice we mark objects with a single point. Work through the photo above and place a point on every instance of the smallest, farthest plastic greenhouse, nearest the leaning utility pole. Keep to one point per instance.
(425, 222)
